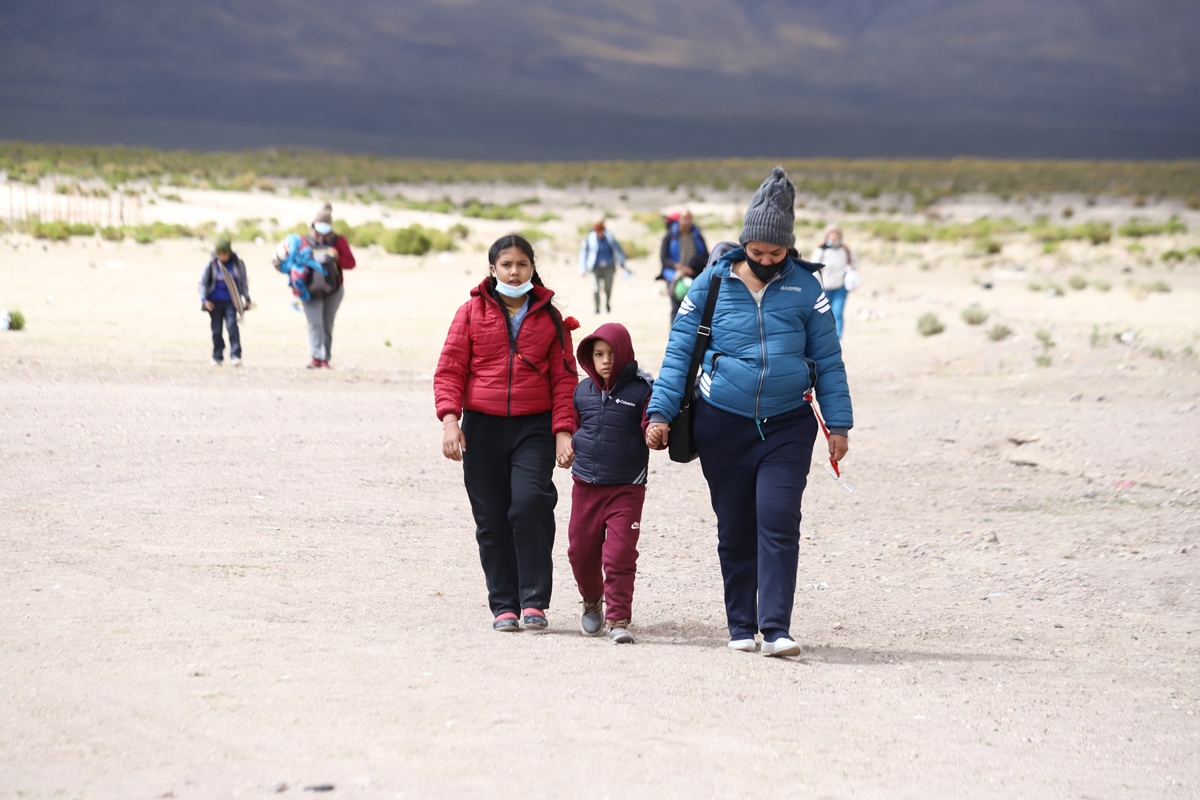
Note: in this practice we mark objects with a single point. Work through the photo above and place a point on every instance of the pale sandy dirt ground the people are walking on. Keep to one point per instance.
(226, 582)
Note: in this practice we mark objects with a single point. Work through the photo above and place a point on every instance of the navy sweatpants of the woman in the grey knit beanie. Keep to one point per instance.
(757, 480)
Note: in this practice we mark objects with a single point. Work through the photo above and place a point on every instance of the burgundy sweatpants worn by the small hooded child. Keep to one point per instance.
(605, 525)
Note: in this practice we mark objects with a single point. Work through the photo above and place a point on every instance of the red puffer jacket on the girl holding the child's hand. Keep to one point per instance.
(482, 370)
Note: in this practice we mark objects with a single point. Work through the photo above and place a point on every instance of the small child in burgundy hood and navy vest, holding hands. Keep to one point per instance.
(611, 461)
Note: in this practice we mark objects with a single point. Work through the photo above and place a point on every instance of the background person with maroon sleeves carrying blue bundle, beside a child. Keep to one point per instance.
(315, 264)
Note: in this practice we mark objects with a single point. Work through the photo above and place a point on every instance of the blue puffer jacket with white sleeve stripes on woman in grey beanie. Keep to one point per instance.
(760, 360)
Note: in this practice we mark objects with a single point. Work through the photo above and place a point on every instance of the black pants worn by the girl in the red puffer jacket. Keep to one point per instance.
(508, 468)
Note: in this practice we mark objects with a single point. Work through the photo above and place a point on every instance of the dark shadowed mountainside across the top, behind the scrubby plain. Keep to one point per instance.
(611, 79)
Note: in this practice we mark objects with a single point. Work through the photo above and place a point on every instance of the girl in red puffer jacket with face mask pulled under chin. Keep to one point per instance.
(506, 386)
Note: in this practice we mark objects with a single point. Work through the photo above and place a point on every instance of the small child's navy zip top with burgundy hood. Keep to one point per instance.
(610, 441)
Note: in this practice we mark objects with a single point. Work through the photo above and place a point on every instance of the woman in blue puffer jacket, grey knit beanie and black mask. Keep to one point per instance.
(773, 341)
